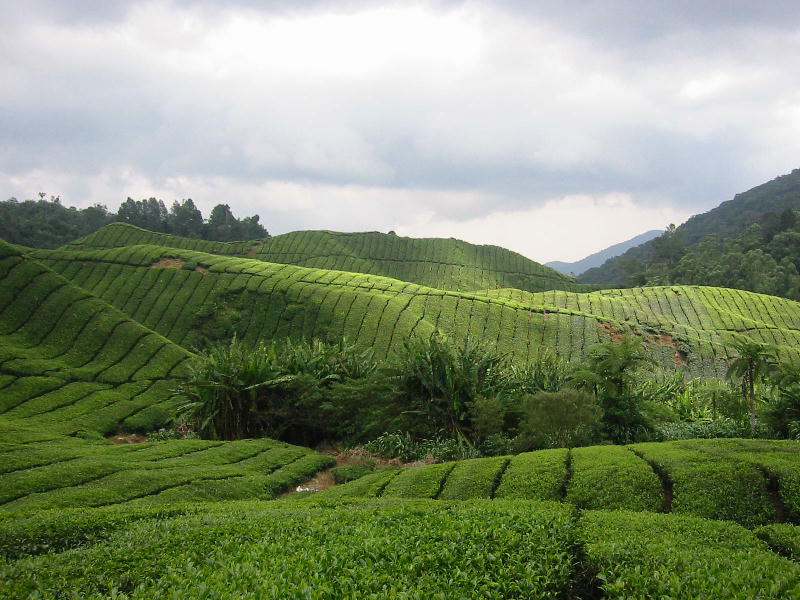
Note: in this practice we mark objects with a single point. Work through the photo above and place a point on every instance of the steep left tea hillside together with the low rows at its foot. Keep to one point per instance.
(73, 367)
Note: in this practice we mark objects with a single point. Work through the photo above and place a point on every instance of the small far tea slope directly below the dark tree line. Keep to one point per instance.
(116, 235)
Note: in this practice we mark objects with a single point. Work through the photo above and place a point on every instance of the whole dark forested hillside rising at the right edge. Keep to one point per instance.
(749, 242)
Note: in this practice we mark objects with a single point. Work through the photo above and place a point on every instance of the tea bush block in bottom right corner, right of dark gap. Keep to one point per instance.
(646, 555)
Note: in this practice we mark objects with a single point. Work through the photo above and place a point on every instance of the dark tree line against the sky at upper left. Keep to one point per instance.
(47, 223)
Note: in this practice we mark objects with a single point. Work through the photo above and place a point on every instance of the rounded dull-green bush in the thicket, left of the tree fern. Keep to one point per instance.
(559, 420)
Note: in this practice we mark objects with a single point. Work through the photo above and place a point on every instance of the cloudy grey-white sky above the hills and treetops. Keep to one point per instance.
(553, 128)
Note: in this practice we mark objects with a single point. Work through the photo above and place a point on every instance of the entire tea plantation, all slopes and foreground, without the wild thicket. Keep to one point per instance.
(95, 338)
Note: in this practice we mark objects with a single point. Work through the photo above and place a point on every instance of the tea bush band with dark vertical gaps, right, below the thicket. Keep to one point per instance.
(718, 479)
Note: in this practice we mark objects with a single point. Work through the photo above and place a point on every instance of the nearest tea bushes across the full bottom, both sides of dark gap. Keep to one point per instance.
(386, 549)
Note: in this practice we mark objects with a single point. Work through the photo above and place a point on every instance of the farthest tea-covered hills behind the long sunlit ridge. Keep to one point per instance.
(441, 263)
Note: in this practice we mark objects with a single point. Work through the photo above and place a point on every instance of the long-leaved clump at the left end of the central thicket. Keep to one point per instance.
(235, 391)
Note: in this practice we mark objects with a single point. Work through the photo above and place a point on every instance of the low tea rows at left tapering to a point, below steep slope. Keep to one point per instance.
(38, 473)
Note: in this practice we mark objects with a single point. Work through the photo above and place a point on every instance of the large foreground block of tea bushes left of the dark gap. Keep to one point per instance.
(375, 550)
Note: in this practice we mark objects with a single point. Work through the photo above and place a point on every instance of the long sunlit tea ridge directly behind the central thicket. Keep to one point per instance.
(189, 297)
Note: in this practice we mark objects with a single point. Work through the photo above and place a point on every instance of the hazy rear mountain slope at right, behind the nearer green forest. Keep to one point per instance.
(729, 220)
